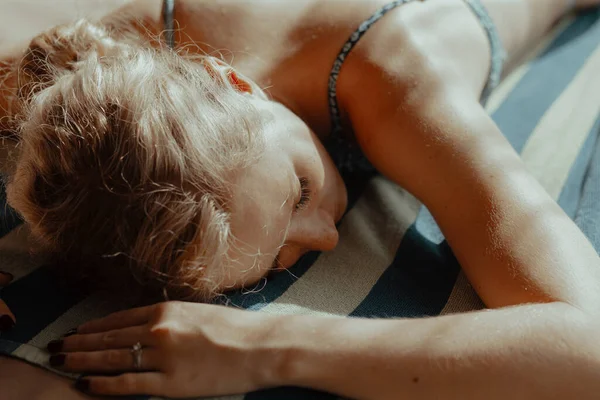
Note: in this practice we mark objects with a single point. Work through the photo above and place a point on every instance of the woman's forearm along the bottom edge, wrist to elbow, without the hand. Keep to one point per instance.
(525, 352)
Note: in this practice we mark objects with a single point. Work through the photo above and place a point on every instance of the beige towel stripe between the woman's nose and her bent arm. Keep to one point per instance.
(371, 233)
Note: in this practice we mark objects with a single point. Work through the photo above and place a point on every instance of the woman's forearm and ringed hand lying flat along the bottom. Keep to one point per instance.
(525, 352)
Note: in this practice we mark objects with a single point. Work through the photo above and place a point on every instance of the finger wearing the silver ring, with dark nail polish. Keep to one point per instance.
(114, 360)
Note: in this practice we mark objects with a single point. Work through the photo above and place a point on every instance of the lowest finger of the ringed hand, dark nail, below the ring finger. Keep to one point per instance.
(126, 384)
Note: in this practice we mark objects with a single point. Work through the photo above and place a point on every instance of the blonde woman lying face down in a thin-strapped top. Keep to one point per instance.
(223, 183)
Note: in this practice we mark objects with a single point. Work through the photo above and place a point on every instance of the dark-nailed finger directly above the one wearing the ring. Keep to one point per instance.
(116, 339)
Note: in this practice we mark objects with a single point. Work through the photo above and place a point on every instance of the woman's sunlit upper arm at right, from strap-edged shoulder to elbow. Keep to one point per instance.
(418, 120)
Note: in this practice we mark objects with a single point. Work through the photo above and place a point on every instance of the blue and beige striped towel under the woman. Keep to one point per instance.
(392, 260)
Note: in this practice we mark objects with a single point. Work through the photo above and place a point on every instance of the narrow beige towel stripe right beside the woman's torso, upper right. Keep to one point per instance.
(510, 82)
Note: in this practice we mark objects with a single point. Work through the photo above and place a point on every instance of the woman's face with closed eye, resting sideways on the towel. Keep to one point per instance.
(286, 204)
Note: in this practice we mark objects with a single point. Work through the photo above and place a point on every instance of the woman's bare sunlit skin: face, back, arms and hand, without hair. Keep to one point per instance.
(409, 94)
